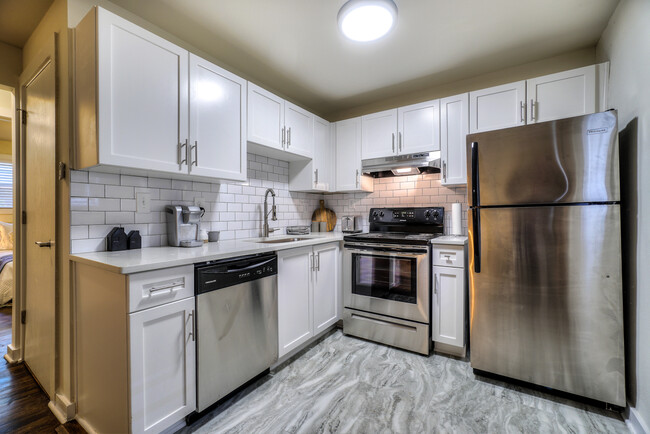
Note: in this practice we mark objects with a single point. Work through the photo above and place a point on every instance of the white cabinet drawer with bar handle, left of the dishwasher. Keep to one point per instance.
(153, 288)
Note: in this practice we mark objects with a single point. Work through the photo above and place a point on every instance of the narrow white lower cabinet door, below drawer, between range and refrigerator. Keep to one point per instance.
(449, 306)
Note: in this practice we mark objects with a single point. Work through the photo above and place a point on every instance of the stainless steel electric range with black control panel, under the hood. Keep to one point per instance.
(386, 283)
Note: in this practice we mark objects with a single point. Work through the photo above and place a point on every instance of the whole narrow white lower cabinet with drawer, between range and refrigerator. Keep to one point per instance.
(449, 300)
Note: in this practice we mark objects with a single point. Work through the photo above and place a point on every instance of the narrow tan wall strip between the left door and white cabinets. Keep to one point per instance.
(54, 22)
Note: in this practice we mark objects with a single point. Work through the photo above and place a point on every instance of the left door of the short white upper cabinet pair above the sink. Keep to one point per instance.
(265, 117)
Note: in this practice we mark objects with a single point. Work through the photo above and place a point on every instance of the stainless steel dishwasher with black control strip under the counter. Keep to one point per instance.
(237, 323)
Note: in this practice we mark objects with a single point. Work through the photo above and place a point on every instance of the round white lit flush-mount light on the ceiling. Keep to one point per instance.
(367, 20)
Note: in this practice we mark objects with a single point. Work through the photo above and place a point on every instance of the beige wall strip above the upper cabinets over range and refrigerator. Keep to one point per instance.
(563, 62)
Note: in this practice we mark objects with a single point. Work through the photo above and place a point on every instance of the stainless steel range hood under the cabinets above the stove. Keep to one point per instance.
(399, 165)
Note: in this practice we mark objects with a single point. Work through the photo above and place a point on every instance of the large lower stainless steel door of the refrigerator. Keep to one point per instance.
(546, 306)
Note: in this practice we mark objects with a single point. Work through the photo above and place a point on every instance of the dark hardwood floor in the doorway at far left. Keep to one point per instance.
(23, 405)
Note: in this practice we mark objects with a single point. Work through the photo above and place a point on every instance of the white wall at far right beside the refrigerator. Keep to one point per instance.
(626, 44)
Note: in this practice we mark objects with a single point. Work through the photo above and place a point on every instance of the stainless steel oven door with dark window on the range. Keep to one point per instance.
(387, 280)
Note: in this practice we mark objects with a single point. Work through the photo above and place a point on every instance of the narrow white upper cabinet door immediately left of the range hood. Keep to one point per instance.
(348, 154)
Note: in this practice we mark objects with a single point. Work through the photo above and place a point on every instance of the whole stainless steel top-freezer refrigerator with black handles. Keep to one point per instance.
(545, 255)
